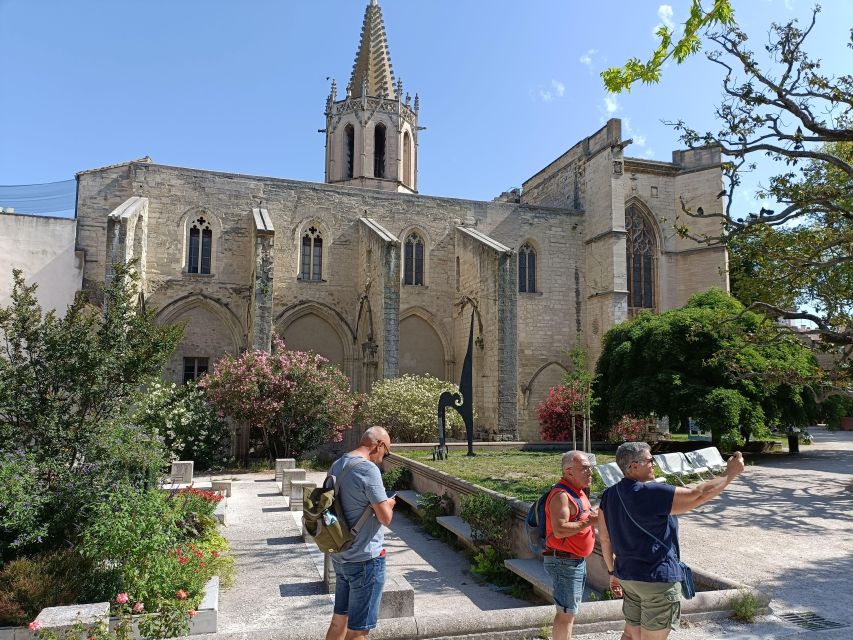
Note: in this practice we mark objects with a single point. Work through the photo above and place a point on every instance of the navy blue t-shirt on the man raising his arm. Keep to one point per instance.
(638, 556)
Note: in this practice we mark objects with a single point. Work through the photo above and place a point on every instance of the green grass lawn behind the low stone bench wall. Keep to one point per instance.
(521, 474)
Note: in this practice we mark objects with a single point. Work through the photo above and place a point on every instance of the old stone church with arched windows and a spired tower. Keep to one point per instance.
(383, 280)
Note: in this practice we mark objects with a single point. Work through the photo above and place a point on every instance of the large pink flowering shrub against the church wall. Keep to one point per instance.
(296, 399)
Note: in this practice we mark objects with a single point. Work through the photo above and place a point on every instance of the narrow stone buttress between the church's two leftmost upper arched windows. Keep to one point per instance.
(261, 312)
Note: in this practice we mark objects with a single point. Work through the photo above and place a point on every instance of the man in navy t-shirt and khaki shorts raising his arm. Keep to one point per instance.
(640, 564)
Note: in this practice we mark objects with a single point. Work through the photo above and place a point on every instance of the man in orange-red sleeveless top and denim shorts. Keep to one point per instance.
(569, 539)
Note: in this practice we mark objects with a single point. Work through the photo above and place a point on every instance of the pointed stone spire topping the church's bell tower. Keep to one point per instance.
(373, 61)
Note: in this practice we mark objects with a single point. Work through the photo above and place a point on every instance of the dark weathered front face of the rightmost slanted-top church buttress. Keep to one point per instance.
(507, 427)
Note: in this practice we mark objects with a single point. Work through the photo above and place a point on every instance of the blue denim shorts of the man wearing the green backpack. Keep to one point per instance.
(358, 591)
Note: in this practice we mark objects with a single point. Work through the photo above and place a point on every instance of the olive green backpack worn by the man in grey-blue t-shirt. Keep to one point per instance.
(323, 515)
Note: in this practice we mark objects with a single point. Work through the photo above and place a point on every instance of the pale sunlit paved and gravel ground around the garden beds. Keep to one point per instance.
(786, 526)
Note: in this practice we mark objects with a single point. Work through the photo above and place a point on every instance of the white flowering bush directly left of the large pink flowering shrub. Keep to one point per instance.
(187, 422)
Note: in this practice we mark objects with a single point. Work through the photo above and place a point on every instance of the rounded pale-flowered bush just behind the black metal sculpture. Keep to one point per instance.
(408, 407)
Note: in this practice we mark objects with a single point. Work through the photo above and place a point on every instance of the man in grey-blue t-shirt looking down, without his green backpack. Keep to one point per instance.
(360, 568)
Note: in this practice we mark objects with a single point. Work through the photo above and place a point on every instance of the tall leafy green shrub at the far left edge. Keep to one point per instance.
(66, 385)
